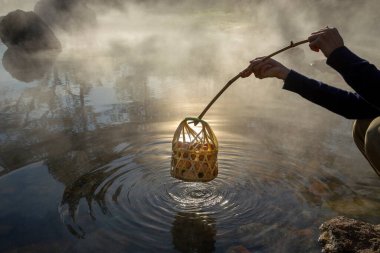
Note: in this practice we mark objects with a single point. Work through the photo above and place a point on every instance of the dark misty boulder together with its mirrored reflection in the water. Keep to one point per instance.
(32, 45)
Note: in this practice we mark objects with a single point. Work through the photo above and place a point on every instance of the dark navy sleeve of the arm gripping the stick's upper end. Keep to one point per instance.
(362, 76)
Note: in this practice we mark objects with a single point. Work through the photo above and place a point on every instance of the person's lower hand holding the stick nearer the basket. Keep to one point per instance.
(266, 68)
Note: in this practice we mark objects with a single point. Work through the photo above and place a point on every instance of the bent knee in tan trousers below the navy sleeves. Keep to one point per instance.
(367, 137)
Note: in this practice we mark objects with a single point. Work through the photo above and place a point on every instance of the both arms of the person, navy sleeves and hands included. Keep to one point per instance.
(348, 104)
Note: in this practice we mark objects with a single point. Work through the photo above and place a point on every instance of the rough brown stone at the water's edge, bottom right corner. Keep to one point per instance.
(342, 234)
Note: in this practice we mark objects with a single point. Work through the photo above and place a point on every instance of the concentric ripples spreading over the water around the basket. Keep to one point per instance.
(134, 204)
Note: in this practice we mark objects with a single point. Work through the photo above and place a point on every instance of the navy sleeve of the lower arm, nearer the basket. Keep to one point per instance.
(347, 104)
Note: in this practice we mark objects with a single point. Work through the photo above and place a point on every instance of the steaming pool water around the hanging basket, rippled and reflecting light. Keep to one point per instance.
(86, 147)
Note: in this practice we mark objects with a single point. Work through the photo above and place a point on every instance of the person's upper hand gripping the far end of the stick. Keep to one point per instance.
(327, 40)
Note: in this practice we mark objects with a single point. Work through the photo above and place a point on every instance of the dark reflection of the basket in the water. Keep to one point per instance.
(192, 232)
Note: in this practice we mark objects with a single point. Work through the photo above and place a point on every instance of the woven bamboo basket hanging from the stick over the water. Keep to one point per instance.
(195, 151)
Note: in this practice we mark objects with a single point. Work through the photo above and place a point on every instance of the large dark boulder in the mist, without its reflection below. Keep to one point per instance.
(27, 31)
